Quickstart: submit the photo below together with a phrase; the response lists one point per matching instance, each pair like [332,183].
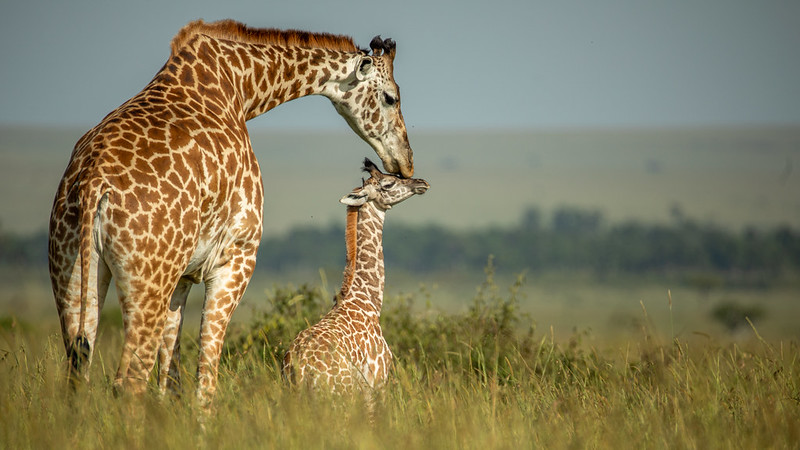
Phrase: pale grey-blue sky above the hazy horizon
[460,64]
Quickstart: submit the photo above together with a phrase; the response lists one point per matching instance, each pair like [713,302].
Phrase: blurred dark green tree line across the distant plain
[570,239]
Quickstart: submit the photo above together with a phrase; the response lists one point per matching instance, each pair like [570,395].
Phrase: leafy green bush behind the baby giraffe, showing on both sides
[492,341]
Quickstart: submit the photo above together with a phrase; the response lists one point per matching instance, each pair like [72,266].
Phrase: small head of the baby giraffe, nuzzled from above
[384,190]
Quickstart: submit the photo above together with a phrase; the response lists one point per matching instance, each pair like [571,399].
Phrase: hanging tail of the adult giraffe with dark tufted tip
[89,204]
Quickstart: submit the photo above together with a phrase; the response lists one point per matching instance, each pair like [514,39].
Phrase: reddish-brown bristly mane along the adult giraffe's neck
[236,31]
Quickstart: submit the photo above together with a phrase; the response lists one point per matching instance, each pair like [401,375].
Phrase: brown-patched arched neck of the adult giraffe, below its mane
[258,75]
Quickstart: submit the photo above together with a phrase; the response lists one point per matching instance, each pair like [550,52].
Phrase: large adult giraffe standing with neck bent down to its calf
[166,190]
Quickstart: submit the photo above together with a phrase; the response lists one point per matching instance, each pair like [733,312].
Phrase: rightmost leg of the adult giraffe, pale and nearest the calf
[224,289]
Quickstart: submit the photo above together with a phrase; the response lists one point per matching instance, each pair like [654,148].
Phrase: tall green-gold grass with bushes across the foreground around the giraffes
[481,378]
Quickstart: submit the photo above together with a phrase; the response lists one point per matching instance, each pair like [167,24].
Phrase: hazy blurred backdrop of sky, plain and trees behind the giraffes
[611,152]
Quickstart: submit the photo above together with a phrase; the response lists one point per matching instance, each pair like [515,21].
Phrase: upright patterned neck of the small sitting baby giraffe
[364,270]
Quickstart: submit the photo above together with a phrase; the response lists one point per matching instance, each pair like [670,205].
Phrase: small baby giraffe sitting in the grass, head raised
[346,348]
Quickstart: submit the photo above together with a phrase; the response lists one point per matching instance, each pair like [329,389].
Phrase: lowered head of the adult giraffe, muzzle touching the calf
[369,100]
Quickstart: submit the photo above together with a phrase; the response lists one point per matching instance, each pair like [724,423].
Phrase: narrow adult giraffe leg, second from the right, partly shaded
[169,355]
